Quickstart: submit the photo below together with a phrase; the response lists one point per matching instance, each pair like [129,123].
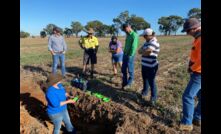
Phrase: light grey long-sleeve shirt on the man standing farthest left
[57,43]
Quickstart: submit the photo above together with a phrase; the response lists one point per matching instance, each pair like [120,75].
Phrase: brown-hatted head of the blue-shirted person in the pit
[54,79]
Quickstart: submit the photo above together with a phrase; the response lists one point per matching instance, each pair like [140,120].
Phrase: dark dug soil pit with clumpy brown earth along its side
[91,115]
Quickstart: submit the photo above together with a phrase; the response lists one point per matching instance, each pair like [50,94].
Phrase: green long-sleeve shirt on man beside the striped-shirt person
[131,44]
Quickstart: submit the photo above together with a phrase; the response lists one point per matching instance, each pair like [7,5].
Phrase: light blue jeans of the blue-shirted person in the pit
[57,120]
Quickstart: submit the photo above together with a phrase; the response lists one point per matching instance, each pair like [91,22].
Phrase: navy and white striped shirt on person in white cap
[151,60]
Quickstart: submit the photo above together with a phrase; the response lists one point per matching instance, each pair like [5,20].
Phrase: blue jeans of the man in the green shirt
[128,64]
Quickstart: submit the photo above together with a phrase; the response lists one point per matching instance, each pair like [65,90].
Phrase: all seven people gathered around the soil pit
[58,99]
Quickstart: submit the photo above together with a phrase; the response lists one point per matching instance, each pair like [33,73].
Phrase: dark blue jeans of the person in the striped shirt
[149,74]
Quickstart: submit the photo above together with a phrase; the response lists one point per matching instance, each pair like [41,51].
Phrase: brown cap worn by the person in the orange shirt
[190,24]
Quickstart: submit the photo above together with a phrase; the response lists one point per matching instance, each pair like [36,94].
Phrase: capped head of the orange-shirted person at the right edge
[191,26]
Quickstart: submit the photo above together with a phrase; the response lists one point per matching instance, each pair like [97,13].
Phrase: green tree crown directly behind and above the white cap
[138,23]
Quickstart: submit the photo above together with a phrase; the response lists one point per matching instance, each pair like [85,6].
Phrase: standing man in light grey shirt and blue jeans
[57,47]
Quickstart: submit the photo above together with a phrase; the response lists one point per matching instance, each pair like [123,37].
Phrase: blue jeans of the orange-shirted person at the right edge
[193,89]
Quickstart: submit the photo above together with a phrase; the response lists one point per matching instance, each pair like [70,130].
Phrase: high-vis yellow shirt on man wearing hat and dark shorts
[90,42]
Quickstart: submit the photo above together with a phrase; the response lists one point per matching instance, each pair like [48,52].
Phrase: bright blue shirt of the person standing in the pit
[54,97]
